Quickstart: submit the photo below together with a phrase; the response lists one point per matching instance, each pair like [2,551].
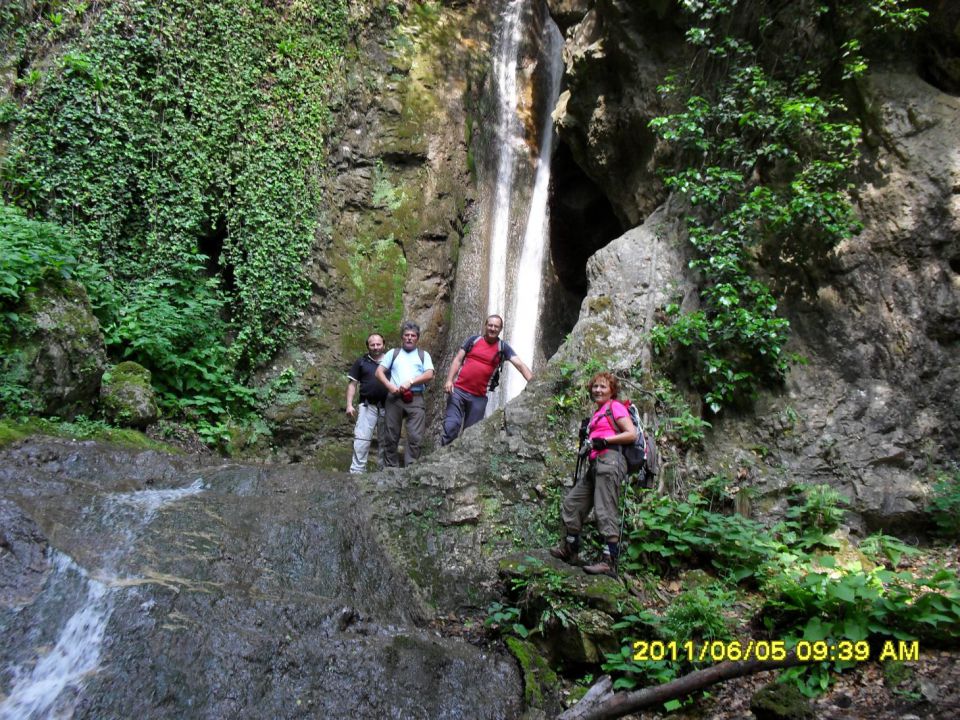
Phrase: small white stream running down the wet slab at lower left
[39,683]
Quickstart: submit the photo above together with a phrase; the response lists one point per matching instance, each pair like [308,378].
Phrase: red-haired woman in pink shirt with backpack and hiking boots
[608,429]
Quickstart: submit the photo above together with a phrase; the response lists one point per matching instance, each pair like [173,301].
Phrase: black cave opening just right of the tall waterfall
[582,221]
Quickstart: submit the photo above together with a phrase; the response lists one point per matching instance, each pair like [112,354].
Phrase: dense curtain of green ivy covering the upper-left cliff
[180,141]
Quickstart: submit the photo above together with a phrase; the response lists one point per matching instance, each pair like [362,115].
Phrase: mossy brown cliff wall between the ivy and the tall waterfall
[399,197]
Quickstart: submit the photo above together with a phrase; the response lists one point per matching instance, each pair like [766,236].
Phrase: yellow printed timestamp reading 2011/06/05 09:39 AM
[772,650]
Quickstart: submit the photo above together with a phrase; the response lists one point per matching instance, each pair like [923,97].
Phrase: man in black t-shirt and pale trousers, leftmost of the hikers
[369,416]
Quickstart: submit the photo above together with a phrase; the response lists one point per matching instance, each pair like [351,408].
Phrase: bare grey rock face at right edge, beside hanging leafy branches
[874,410]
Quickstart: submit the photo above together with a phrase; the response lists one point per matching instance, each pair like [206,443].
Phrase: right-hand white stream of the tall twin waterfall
[525,311]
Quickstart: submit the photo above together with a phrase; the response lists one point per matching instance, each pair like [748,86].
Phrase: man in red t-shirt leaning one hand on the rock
[469,378]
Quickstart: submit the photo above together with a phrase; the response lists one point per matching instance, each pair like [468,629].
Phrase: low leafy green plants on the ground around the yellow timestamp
[807,587]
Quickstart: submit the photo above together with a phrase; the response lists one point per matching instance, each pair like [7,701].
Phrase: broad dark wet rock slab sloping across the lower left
[234,592]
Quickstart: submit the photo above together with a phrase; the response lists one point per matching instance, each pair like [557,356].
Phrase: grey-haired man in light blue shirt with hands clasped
[404,372]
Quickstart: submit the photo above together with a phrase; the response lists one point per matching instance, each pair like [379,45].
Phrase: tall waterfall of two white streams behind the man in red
[515,274]
